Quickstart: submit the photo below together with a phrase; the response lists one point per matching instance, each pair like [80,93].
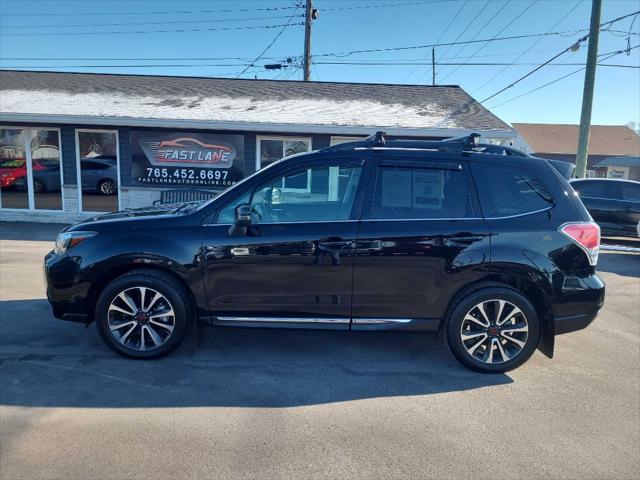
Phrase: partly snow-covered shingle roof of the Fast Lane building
[241,100]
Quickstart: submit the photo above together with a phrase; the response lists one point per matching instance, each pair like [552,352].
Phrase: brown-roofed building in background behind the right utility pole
[614,151]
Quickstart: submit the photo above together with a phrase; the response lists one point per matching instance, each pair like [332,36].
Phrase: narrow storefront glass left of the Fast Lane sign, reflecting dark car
[98,170]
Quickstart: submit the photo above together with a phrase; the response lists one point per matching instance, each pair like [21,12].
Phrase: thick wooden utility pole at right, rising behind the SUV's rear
[587,92]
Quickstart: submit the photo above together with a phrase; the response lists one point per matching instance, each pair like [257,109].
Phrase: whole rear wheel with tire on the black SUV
[507,345]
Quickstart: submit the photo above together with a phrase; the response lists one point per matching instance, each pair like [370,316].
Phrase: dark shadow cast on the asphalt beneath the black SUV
[47,362]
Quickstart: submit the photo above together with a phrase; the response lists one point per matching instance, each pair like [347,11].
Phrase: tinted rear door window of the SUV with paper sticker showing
[415,192]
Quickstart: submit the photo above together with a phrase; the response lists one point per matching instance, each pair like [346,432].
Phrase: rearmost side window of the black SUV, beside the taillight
[506,191]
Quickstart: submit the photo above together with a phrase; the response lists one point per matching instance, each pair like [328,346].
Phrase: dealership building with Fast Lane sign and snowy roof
[73,144]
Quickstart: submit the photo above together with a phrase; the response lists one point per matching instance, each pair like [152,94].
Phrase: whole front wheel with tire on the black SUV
[143,335]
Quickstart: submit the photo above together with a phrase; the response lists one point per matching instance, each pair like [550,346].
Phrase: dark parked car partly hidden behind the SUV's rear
[613,204]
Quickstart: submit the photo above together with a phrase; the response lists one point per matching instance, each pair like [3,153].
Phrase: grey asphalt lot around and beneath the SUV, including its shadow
[302,404]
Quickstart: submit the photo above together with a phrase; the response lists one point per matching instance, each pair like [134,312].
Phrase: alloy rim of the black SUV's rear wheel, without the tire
[494,331]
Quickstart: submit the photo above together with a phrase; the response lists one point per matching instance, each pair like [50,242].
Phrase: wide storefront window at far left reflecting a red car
[30,174]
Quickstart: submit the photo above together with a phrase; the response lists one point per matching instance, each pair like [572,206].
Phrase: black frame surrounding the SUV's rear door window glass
[433,162]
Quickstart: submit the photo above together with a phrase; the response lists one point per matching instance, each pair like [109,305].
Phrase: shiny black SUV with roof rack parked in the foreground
[494,251]
